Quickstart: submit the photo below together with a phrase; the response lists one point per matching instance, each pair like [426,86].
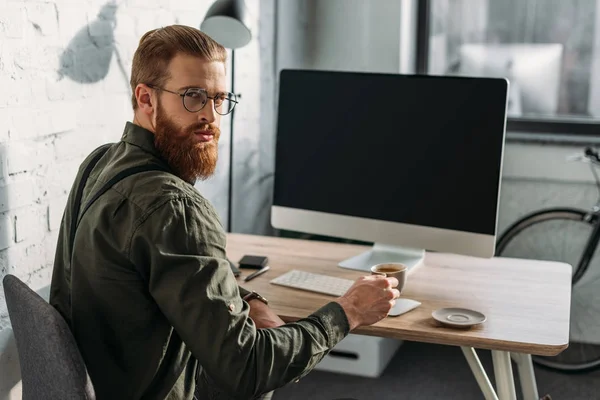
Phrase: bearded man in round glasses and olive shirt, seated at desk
[141,275]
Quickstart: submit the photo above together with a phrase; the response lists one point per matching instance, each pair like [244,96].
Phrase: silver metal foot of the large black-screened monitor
[382,253]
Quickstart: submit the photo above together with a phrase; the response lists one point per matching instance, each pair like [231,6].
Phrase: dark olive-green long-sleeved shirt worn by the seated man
[150,296]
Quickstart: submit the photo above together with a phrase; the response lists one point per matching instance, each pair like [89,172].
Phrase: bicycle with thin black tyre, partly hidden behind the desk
[574,233]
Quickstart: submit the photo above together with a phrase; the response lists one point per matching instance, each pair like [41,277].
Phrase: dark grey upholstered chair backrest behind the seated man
[51,364]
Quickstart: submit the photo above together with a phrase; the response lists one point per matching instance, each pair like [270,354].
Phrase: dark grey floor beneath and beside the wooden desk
[426,371]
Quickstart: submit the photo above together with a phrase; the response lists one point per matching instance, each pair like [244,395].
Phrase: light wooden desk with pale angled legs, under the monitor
[527,303]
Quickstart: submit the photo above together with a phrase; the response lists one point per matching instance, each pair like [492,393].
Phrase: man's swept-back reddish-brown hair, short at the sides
[159,46]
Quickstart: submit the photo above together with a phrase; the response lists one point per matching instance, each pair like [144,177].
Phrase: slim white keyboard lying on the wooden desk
[311,282]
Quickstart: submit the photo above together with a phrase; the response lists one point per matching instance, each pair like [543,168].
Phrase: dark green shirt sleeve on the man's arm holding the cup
[181,245]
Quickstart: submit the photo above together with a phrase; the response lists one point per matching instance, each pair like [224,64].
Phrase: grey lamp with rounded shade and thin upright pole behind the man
[227,22]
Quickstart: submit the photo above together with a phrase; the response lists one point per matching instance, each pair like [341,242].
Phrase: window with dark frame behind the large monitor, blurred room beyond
[548,49]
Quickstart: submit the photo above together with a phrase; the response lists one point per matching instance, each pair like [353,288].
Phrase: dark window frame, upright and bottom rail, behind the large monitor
[525,128]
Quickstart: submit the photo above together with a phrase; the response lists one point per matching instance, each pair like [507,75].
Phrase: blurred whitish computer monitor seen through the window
[533,70]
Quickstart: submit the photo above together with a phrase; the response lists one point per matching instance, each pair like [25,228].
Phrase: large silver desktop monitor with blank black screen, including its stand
[406,162]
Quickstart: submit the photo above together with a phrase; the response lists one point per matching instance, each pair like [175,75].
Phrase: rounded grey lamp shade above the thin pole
[227,22]
